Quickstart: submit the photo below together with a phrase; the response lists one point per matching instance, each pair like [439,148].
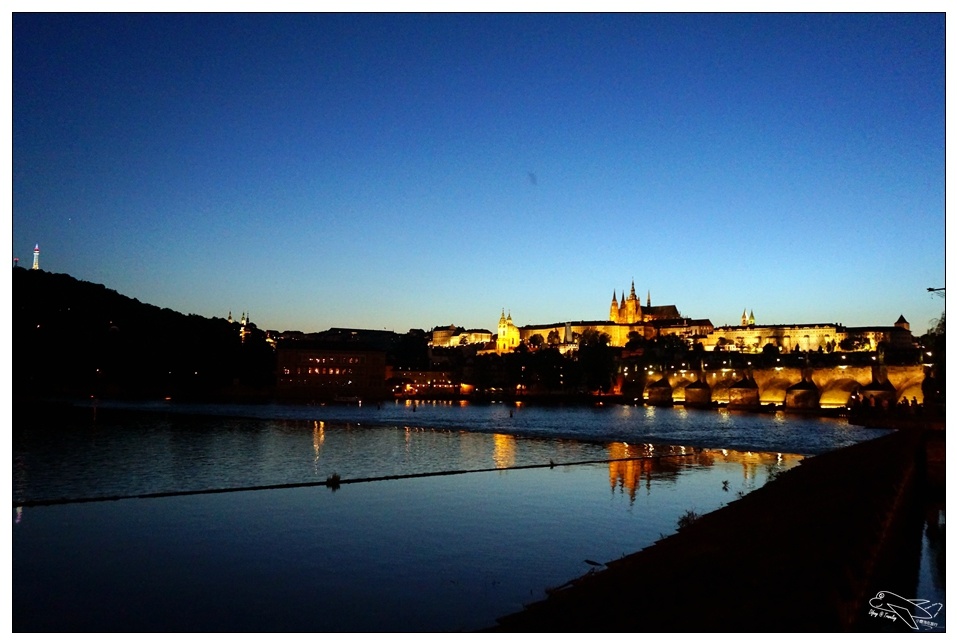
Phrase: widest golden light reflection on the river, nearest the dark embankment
[632,465]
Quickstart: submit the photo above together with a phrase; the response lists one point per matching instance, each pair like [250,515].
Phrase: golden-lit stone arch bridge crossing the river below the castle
[810,388]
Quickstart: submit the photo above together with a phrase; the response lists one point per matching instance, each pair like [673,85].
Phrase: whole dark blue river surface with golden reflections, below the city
[446,516]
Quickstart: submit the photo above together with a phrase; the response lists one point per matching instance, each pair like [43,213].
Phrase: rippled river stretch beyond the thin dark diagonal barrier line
[128,454]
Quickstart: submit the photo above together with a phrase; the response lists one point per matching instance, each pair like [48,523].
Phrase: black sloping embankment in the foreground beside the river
[803,553]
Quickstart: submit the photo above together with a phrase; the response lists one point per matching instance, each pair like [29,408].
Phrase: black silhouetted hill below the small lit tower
[78,339]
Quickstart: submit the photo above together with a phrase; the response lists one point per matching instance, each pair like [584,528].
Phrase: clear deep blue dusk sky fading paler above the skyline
[384,171]
